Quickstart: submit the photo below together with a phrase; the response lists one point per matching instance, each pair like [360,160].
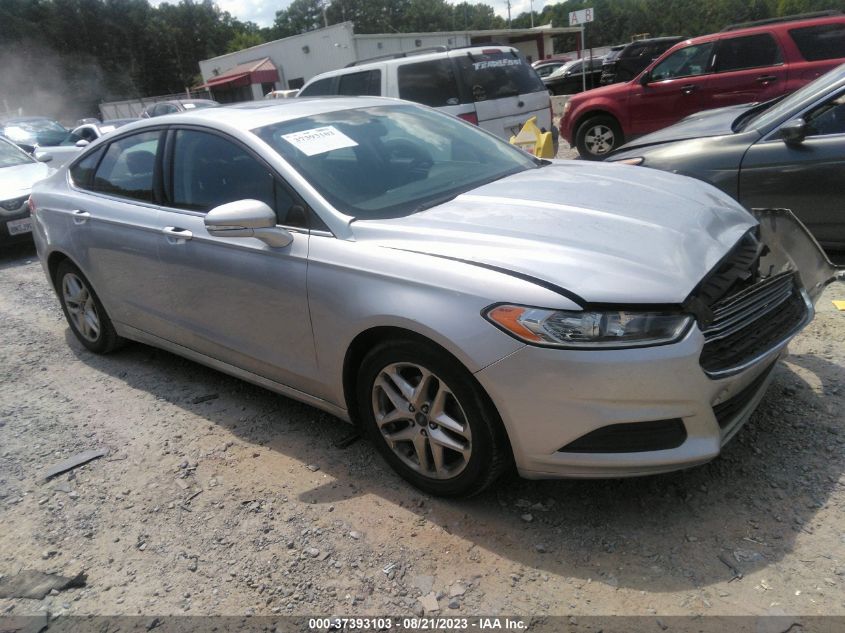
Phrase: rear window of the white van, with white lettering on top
[497,75]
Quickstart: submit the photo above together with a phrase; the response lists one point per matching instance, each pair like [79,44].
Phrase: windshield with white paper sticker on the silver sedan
[392,161]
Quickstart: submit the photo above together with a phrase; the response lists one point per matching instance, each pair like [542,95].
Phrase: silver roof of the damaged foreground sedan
[254,114]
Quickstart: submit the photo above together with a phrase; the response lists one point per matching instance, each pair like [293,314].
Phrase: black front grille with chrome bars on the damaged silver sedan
[751,322]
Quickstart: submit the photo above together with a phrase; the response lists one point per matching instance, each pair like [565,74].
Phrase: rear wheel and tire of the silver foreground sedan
[84,312]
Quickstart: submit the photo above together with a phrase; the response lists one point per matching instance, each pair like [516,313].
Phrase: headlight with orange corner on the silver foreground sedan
[589,329]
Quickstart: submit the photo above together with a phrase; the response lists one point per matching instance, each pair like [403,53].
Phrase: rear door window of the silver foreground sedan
[128,167]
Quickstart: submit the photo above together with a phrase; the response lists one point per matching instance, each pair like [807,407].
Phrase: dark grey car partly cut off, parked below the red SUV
[783,153]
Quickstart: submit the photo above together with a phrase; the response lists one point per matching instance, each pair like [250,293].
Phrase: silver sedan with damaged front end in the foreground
[470,306]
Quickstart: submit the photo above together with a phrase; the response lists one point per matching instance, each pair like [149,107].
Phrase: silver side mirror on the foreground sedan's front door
[247,218]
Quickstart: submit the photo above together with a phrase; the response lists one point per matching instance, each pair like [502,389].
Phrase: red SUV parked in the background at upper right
[747,62]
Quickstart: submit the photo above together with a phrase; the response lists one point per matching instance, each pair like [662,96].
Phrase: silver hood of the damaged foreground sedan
[607,233]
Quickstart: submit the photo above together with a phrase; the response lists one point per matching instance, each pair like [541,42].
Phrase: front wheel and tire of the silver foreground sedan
[445,439]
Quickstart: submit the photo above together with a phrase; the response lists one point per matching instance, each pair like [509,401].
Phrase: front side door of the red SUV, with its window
[671,90]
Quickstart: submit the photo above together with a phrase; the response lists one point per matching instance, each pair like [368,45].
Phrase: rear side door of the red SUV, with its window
[746,69]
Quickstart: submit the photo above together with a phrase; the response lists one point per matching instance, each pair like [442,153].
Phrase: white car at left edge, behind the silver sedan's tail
[18,172]
